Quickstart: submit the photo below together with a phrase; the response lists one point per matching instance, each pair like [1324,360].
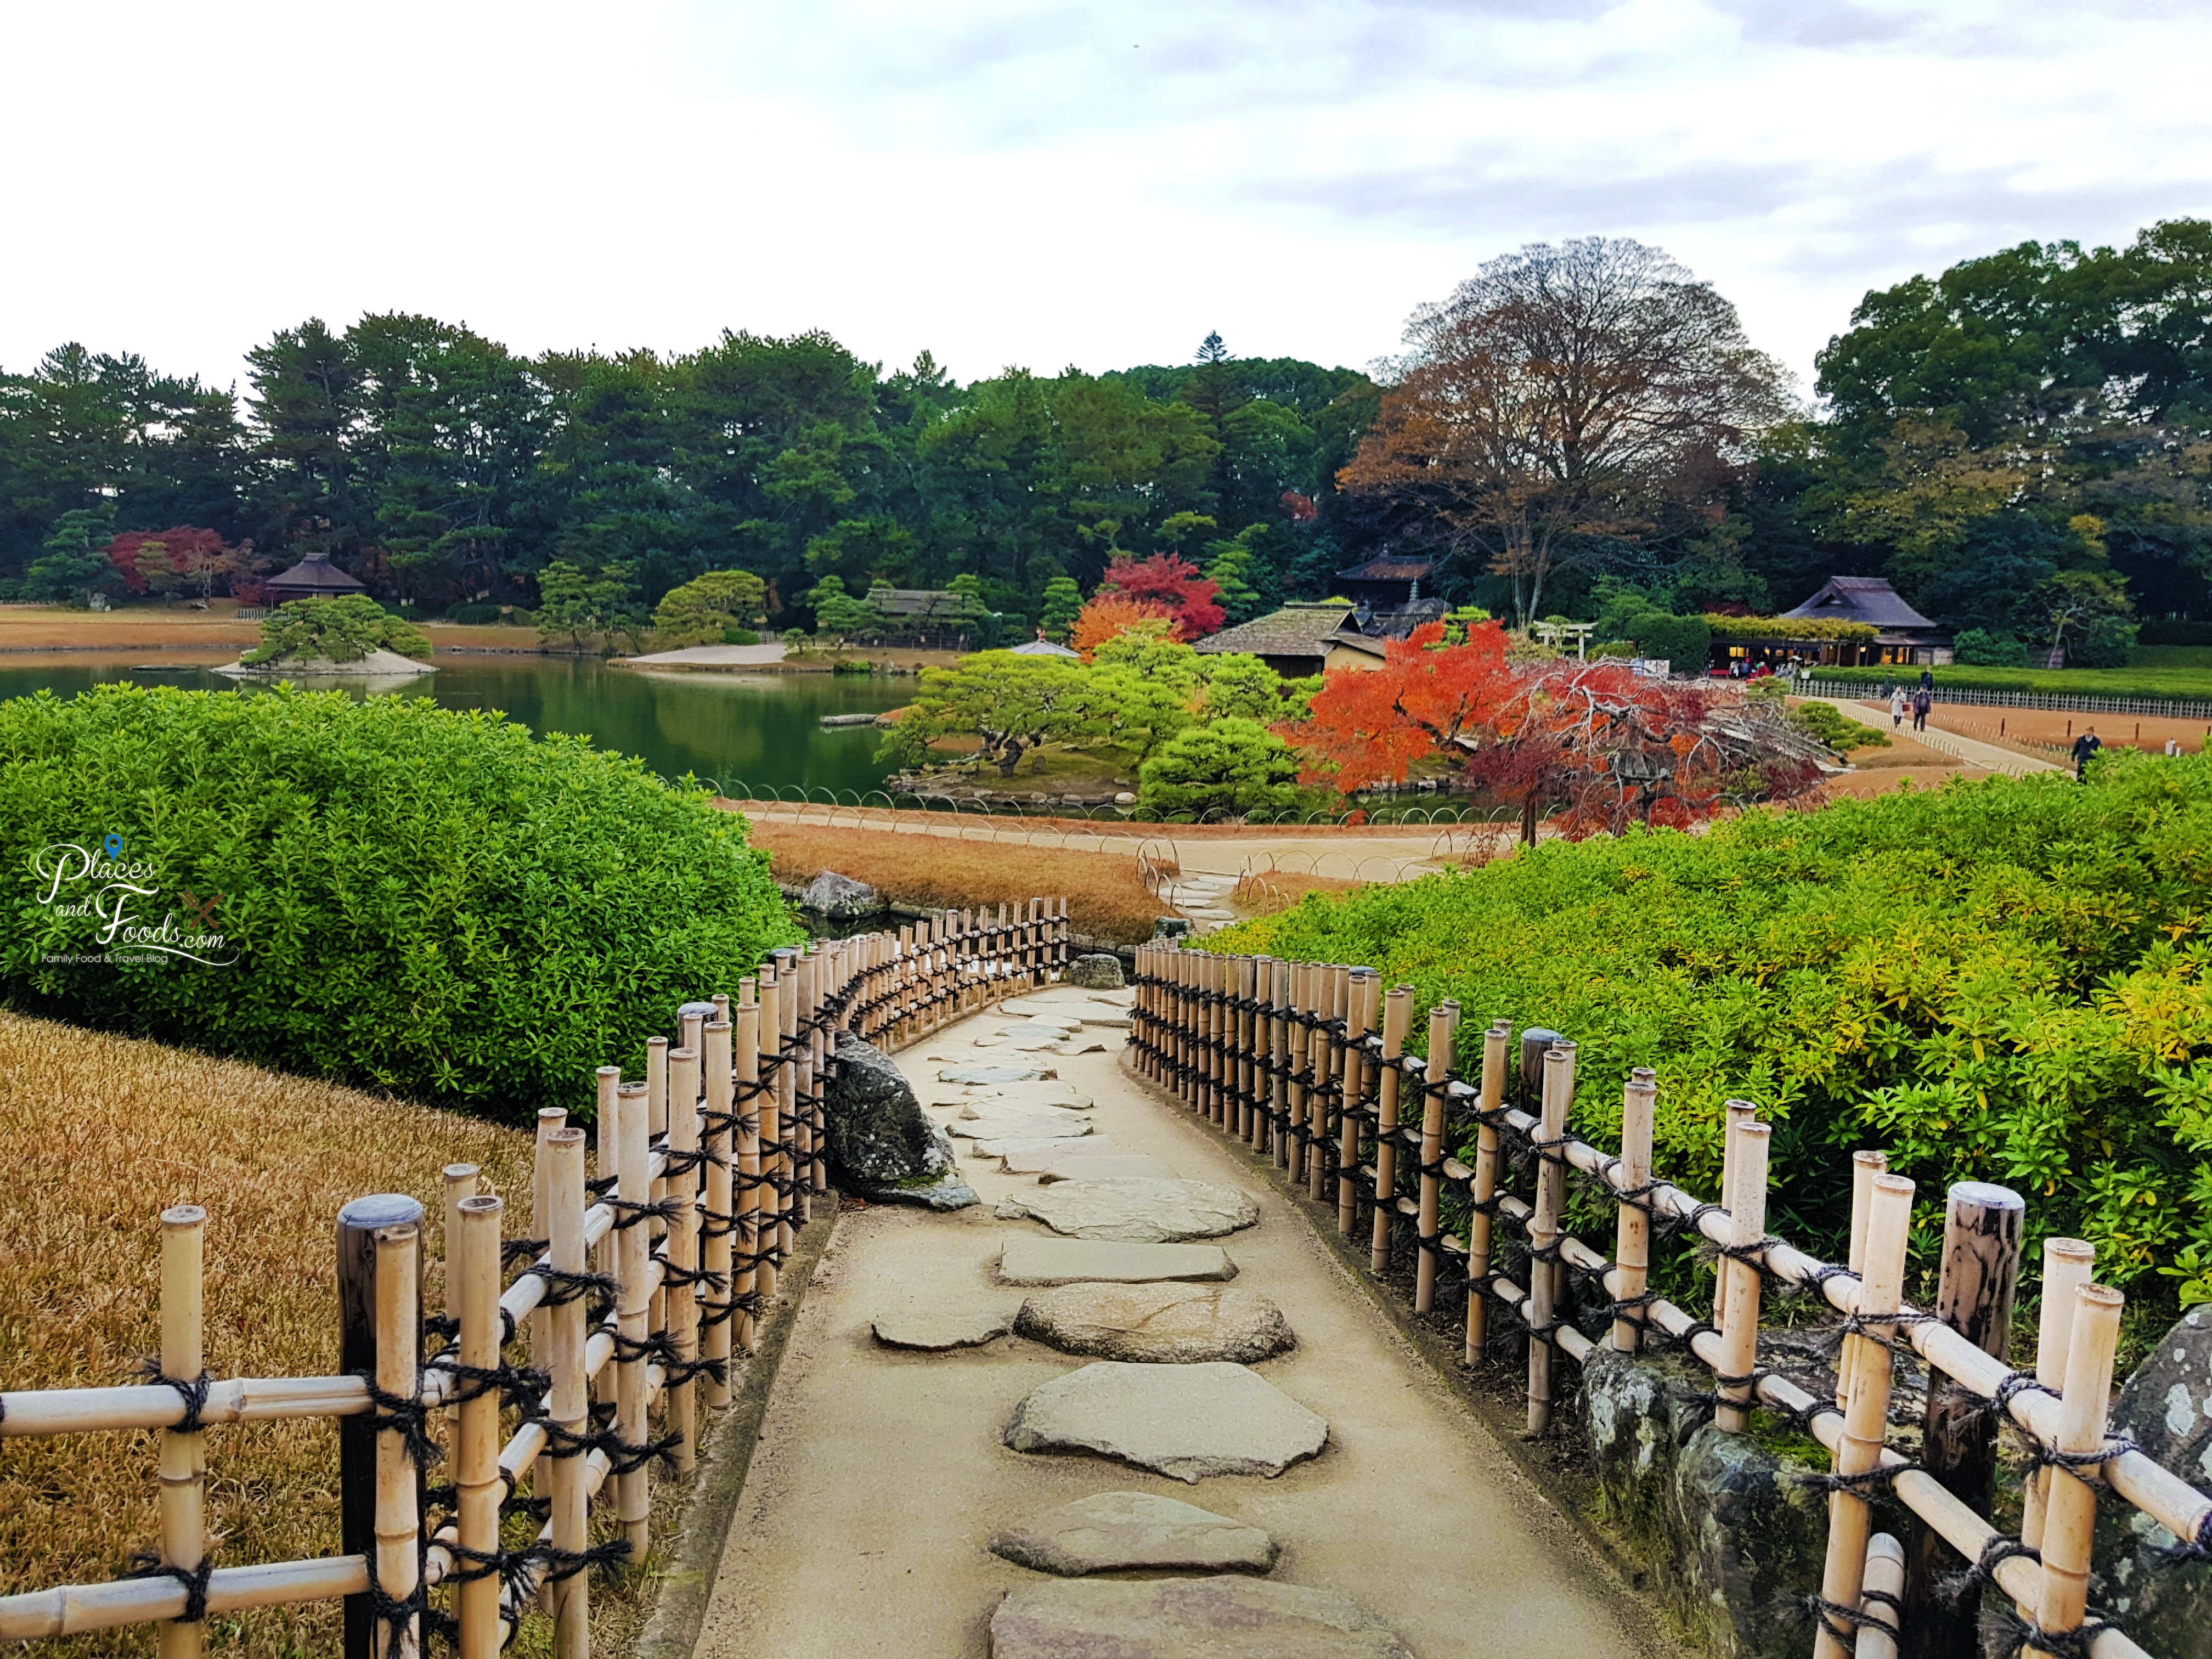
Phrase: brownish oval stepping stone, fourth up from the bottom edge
[1156,1324]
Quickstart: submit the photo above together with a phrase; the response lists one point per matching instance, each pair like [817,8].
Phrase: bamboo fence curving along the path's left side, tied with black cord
[632,1300]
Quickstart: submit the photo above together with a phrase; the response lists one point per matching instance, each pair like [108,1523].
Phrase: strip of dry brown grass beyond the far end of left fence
[1103,888]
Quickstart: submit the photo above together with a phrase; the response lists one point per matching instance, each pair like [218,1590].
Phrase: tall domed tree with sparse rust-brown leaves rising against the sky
[1561,399]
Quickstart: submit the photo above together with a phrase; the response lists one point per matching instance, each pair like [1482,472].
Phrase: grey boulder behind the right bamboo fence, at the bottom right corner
[2167,1410]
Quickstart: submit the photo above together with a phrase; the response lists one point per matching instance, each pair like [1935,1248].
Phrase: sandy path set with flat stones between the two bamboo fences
[979,1423]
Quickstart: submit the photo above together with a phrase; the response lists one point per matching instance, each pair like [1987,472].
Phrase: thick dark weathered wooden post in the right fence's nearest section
[1959,1446]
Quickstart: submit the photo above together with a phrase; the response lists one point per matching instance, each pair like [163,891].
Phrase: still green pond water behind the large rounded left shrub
[733,729]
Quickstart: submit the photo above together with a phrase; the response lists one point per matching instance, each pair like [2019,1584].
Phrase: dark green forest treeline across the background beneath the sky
[2030,424]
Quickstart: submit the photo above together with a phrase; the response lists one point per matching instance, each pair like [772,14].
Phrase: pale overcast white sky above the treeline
[1036,182]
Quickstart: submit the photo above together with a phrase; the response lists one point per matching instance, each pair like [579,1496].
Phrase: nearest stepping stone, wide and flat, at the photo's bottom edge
[1220,1618]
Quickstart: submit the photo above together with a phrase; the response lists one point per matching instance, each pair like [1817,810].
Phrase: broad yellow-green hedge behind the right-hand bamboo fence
[1996,981]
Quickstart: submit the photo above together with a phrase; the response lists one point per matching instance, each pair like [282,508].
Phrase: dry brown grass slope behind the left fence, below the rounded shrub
[98,1136]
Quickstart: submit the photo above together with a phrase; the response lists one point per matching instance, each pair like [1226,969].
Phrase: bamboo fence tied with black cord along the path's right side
[1308,1063]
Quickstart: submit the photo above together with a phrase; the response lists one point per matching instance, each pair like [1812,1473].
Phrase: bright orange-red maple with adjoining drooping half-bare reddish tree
[1594,740]
